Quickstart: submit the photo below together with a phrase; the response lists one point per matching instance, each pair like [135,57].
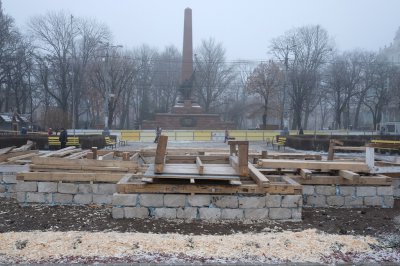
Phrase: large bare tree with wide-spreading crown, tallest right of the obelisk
[304,50]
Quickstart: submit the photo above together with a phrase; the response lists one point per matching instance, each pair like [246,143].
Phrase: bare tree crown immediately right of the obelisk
[212,75]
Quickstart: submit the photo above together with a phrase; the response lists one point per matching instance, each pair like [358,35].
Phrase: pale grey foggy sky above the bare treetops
[245,27]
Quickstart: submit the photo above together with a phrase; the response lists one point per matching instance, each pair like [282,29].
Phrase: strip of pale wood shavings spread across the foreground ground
[306,246]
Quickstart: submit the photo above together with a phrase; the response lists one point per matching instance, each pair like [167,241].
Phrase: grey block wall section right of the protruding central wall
[348,196]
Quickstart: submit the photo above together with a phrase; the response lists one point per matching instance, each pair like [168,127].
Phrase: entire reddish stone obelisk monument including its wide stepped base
[187,113]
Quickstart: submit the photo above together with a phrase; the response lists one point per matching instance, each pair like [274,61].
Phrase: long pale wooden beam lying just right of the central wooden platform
[307,164]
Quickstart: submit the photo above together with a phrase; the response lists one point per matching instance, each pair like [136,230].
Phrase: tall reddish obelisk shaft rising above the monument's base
[187,52]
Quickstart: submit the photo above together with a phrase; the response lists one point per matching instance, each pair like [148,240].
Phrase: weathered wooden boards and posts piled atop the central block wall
[205,174]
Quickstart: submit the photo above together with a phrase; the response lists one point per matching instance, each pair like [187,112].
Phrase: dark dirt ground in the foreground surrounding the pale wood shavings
[381,224]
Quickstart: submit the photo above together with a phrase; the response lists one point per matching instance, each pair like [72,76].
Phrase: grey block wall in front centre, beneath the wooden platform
[207,207]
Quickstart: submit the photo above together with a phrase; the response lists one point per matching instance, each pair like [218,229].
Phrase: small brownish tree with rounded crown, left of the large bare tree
[266,81]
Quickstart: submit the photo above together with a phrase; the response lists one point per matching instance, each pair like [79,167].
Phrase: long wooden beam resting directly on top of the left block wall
[69,177]
